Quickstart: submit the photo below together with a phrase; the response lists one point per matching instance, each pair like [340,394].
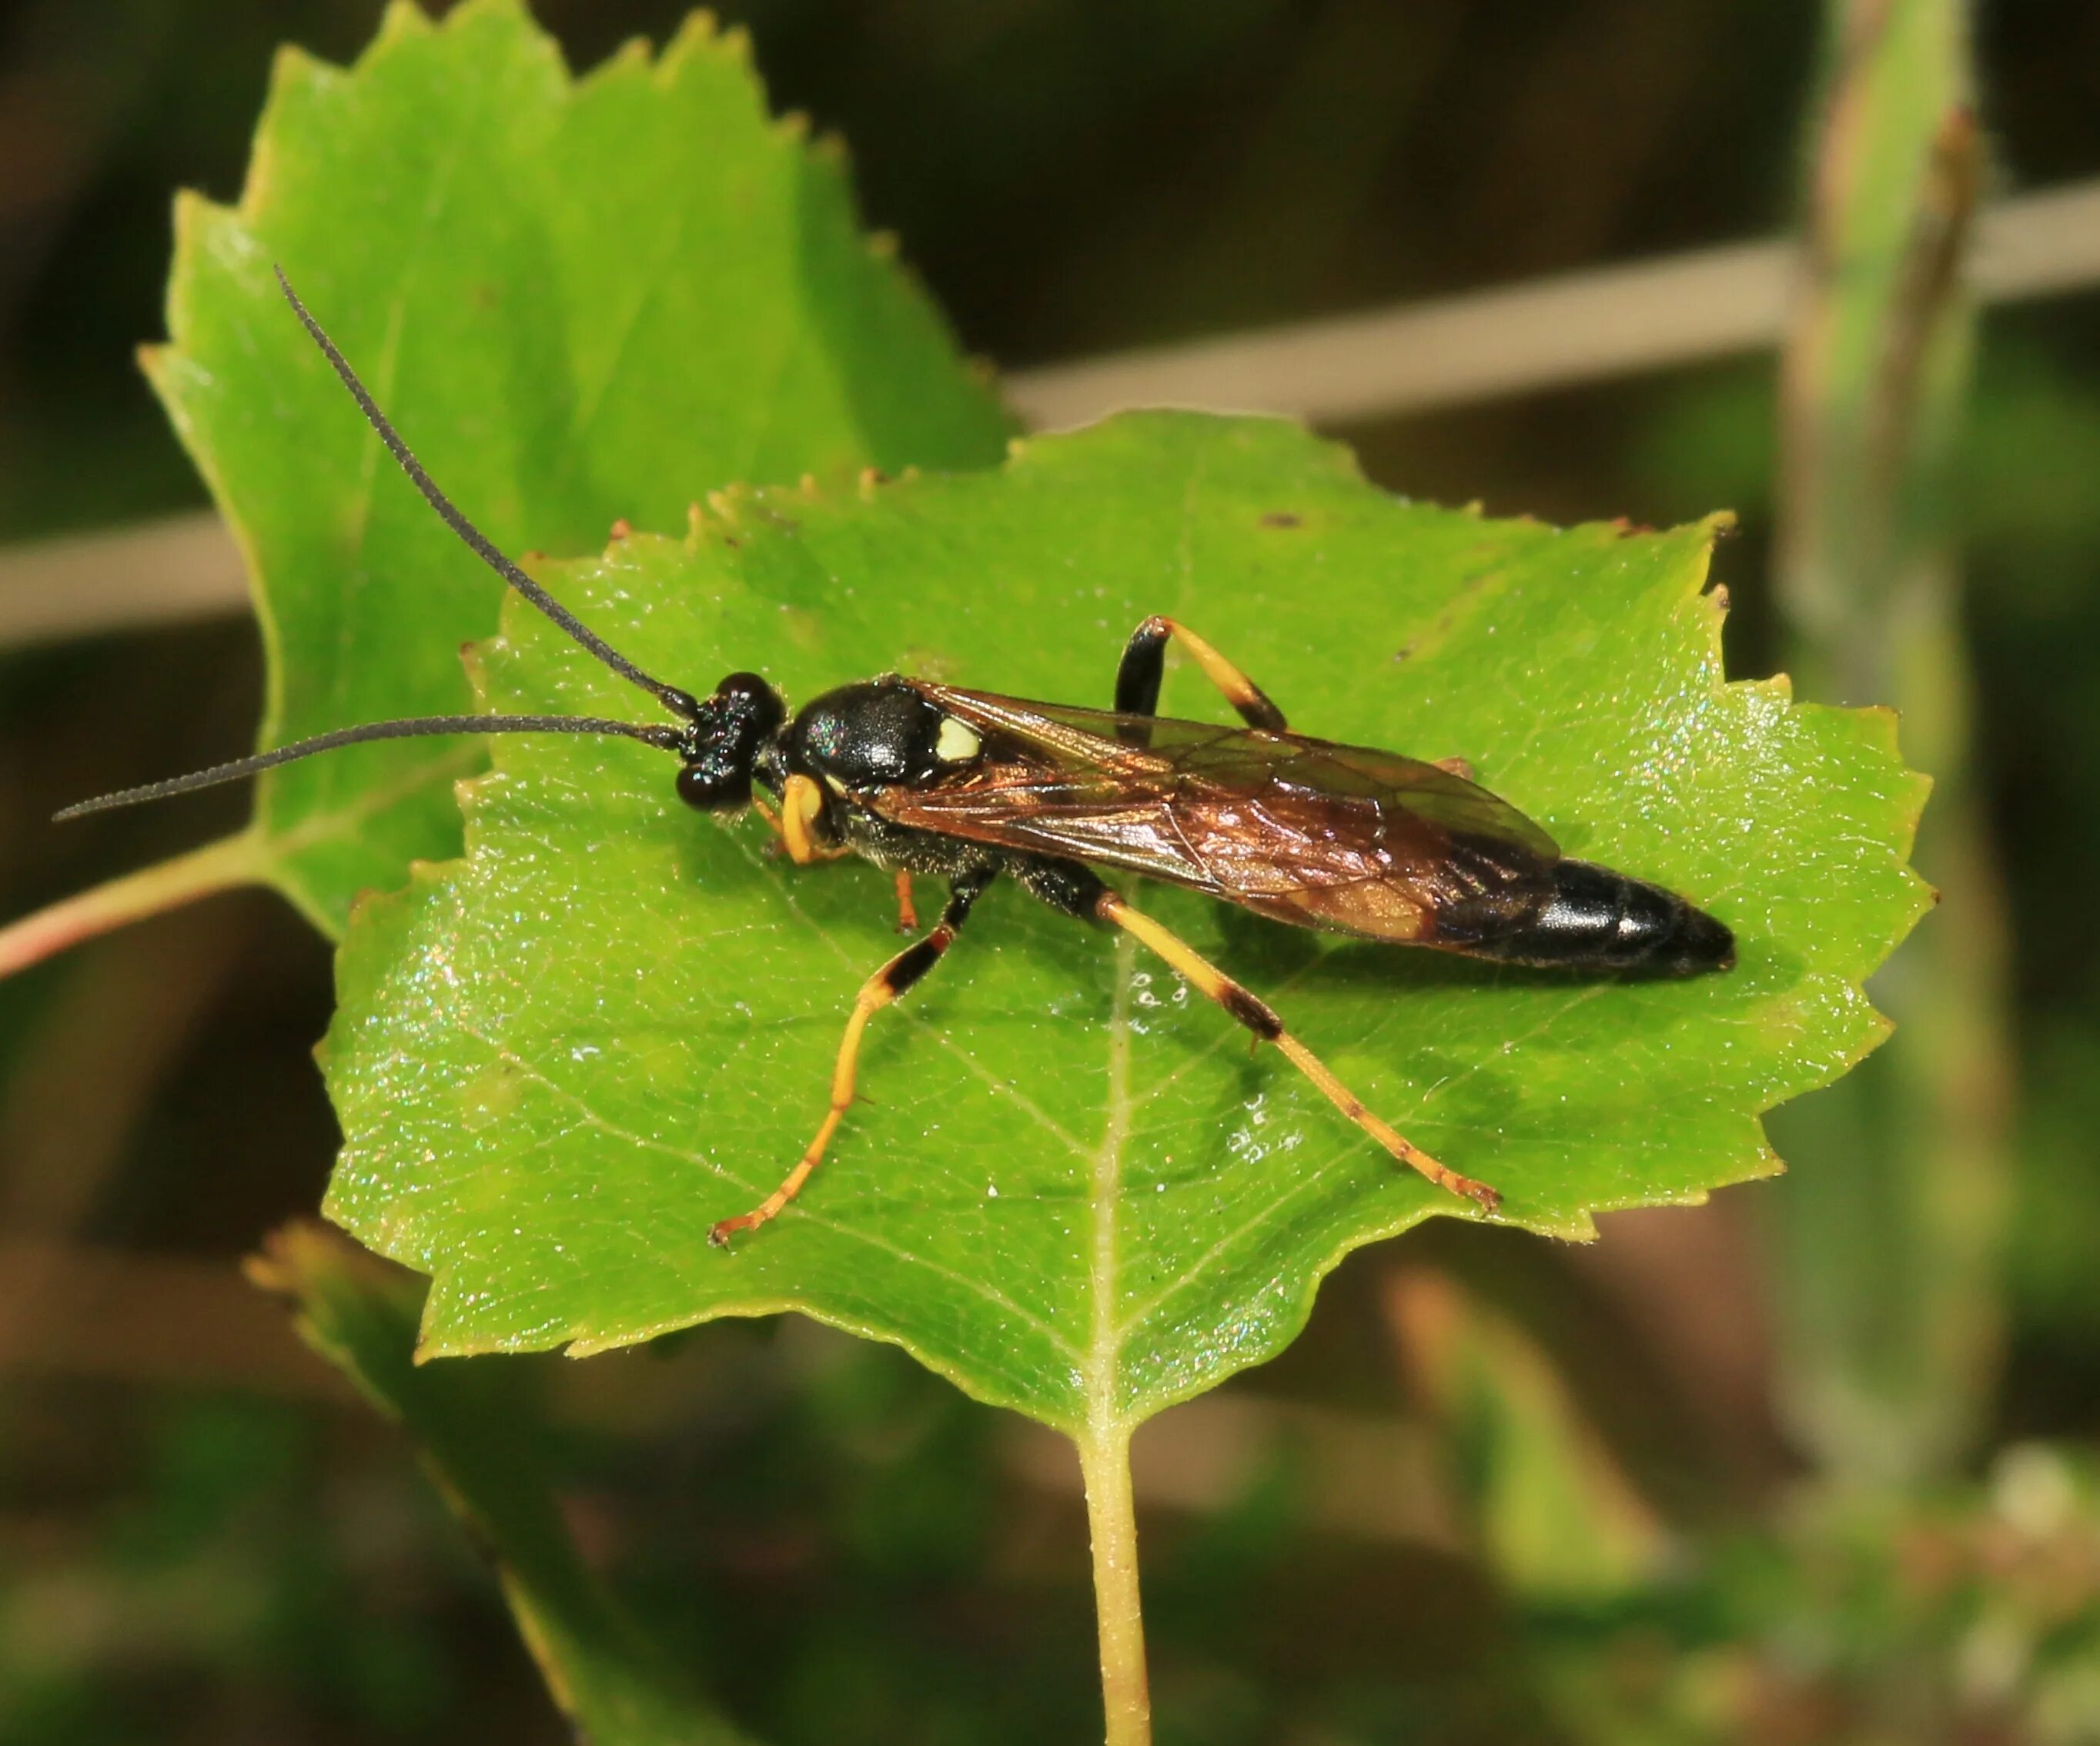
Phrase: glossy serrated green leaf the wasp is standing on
[1070,1188]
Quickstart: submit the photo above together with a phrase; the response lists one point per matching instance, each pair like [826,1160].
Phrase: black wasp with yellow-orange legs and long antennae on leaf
[965,787]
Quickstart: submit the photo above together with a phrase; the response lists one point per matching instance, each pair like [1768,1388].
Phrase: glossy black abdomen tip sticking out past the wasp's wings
[1605,921]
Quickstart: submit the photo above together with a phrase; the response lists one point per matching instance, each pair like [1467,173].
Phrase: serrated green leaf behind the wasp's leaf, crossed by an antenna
[581,302]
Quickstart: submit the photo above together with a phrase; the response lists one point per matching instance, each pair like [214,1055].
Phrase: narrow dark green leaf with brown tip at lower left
[474,1432]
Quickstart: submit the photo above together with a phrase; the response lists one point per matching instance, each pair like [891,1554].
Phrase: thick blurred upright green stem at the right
[1891,1224]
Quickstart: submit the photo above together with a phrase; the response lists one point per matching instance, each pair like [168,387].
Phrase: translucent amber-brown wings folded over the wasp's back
[1303,831]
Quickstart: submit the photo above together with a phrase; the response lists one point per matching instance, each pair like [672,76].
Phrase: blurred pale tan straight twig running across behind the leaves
[1381,365]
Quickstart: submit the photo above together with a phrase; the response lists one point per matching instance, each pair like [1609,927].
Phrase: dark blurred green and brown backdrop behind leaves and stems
[1500,1491]
